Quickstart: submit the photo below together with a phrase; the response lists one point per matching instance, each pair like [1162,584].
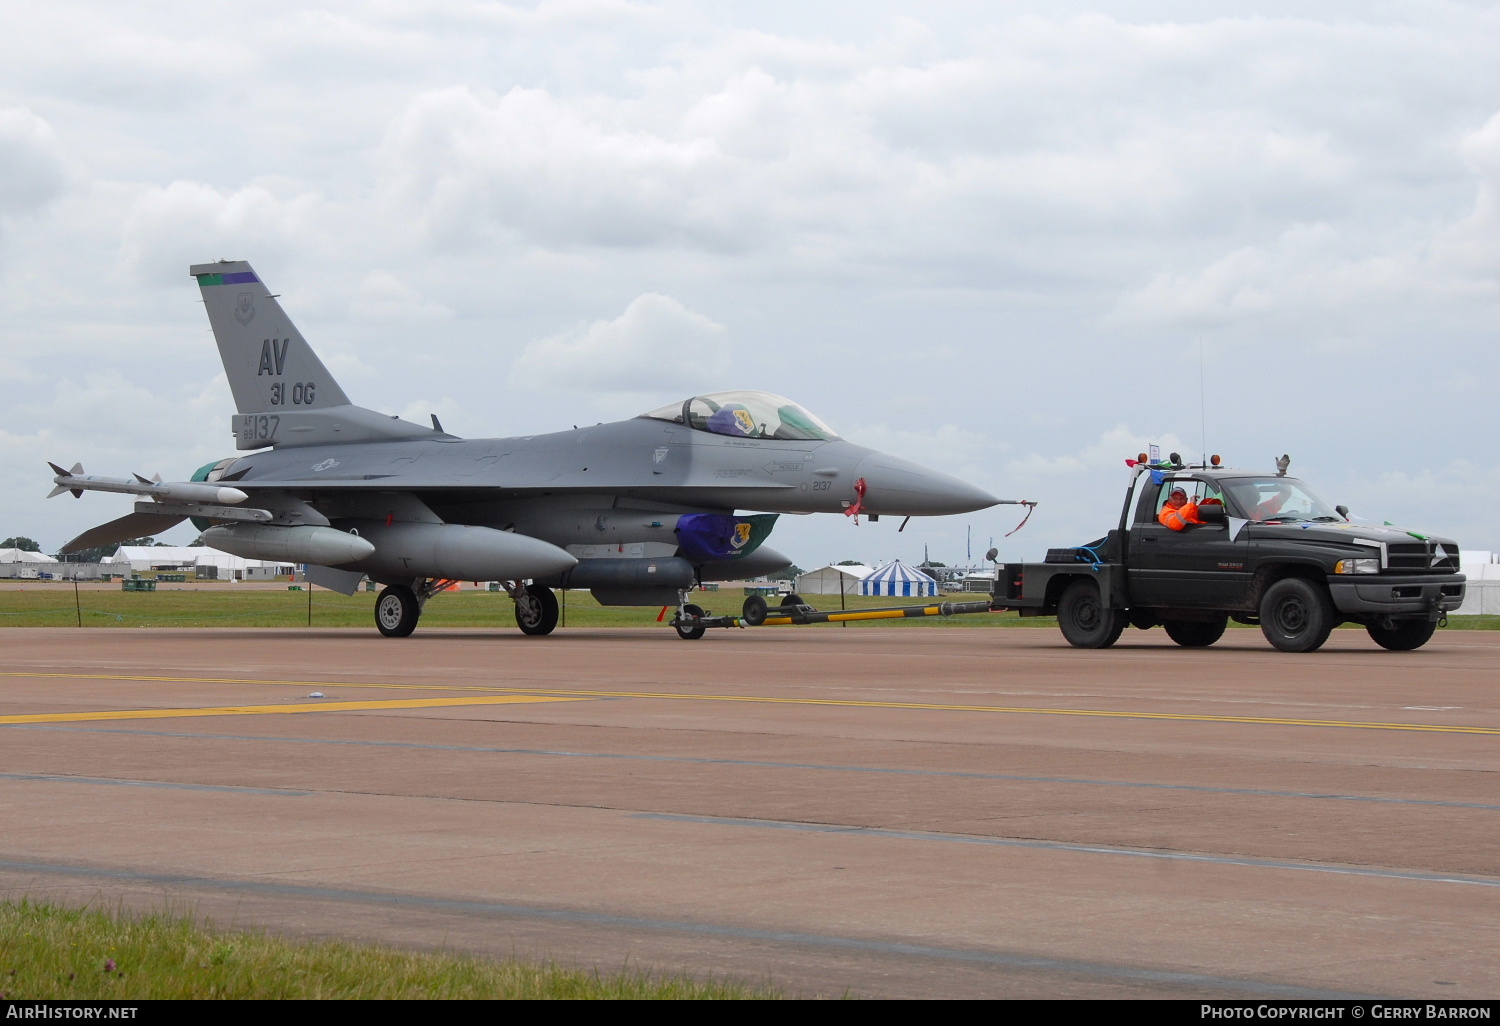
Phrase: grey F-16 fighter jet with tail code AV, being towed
[638,512]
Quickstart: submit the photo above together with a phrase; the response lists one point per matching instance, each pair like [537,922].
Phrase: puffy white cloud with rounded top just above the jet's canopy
[658,346]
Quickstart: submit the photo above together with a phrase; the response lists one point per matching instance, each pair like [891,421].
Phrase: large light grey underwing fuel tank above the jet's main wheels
[457,551]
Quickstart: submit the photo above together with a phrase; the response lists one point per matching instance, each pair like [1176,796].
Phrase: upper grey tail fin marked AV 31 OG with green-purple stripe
[271,367]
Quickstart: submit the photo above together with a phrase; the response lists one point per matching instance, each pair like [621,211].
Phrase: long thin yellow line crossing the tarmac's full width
[766,700]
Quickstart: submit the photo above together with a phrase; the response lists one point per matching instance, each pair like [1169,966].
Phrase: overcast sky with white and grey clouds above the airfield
[1009,241]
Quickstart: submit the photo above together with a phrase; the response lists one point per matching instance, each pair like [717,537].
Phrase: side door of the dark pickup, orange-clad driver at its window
[1199,568]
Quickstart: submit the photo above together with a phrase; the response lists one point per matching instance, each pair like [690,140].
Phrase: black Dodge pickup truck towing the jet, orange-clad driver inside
[1268,553]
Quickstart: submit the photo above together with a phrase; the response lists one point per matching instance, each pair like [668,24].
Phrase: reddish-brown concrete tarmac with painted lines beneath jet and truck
[889,814]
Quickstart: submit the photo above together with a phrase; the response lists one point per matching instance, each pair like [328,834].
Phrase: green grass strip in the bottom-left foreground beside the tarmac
[55,953]
